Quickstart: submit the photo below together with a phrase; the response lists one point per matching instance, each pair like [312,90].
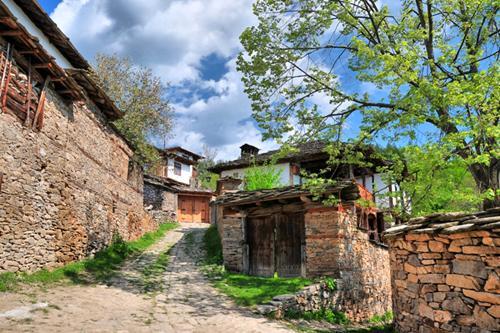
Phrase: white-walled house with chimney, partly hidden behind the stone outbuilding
[312,157]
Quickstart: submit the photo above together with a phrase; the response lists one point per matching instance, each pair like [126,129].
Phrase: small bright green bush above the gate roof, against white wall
[261,177]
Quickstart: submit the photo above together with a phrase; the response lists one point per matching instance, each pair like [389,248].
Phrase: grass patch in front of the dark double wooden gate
[244,289]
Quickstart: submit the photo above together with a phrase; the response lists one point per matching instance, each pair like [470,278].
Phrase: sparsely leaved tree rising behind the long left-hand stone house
[141,97]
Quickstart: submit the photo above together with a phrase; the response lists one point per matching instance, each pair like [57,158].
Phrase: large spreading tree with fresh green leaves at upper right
[434,64]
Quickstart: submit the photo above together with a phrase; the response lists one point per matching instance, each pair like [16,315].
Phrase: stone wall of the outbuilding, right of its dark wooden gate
[335,247]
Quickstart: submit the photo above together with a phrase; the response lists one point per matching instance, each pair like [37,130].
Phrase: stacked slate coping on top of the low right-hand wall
[448,223]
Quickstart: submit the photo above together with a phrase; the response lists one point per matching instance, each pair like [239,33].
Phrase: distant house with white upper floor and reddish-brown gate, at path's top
[172,188]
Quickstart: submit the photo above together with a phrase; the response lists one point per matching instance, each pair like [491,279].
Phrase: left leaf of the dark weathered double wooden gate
[260,239]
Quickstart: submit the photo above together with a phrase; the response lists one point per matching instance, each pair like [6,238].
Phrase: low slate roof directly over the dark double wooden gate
[249,197]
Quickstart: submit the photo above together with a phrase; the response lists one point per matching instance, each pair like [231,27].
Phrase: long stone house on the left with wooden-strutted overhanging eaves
[67,180]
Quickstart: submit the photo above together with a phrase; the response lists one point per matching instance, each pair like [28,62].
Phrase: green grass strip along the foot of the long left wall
[97,269]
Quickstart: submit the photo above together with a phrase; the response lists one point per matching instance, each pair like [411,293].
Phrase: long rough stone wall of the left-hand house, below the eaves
[65,189]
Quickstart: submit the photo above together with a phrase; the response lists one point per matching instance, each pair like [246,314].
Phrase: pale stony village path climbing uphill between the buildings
[182,299]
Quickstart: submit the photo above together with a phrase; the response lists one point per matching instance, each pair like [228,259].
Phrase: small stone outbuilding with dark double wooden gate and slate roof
[283,231]
